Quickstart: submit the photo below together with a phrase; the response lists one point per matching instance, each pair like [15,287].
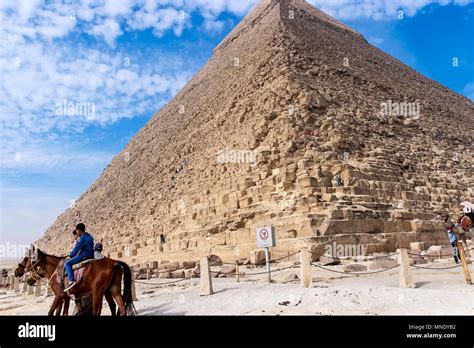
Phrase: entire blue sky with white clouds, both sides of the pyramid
[128,58]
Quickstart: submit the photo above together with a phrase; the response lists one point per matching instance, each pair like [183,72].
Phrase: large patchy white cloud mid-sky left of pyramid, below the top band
[48,74]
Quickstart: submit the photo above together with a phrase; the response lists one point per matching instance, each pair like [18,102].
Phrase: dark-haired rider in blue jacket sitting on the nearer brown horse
[84,249]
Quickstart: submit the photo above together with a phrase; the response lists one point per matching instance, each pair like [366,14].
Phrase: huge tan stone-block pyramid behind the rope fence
[290,100]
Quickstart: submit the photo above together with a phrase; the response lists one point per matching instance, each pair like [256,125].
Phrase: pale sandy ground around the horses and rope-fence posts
[439,292]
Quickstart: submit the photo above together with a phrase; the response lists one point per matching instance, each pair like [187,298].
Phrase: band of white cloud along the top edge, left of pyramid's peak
[108,19]
